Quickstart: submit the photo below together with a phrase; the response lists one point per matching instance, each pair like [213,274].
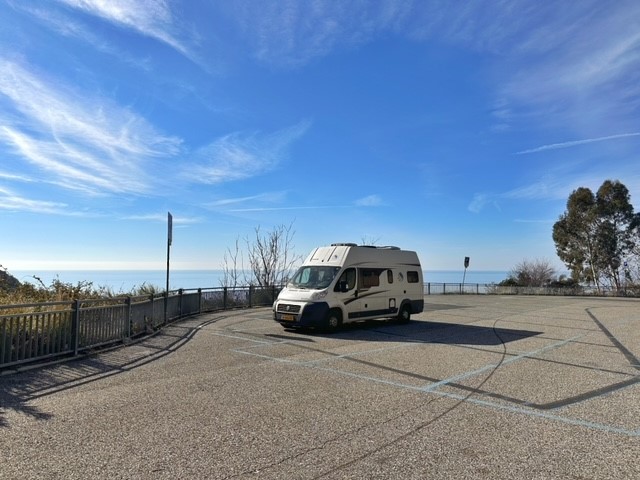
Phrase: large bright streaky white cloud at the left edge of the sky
[82,143]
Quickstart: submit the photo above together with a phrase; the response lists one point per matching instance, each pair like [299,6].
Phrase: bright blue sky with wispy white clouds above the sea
[451,128]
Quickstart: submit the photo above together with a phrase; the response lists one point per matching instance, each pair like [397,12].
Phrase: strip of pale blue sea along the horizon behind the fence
[124,281]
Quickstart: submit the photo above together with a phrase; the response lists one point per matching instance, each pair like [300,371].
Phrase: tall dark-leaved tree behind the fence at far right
[597,233]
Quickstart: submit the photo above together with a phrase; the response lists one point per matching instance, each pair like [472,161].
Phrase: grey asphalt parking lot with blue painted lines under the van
[496,387]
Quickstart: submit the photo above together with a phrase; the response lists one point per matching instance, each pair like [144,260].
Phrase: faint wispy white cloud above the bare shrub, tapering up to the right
[239,156]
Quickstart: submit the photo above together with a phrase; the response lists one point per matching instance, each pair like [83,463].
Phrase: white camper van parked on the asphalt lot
[345,283]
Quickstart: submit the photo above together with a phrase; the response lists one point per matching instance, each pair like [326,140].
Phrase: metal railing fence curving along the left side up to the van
[40,331]
